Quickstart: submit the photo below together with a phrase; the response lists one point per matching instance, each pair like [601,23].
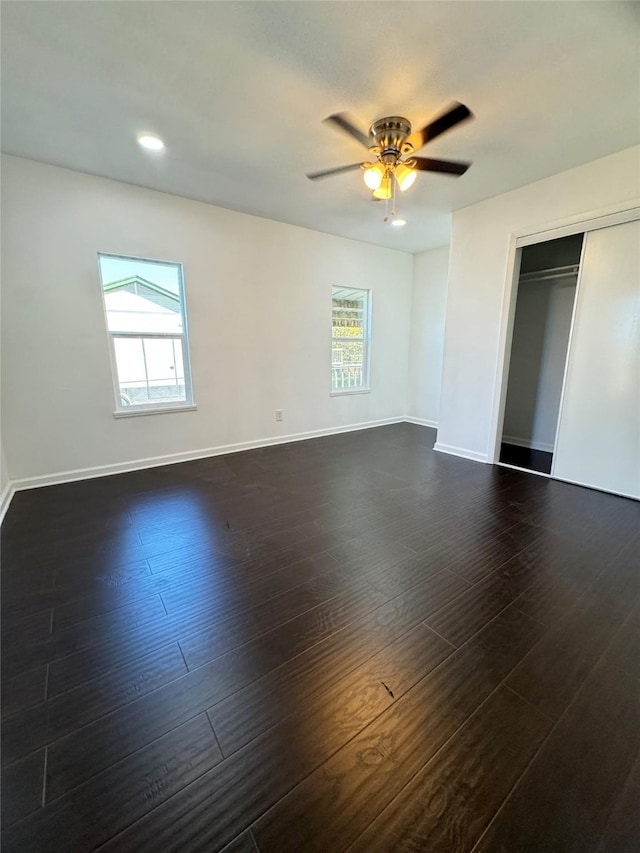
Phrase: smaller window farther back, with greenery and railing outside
[350,339]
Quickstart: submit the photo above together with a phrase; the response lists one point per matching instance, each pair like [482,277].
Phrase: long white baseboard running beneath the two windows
[187,456]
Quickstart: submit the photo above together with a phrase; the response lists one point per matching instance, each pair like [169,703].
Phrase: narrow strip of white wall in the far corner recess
[430,270]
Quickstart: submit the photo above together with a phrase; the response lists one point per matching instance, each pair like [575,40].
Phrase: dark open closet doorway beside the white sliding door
[542,323]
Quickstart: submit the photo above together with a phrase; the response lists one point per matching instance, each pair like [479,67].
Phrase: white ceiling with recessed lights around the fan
[238,91]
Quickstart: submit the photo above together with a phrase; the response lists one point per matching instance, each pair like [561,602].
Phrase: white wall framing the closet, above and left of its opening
[480,244]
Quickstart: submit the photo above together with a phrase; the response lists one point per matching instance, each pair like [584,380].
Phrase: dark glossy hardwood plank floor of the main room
[351,643]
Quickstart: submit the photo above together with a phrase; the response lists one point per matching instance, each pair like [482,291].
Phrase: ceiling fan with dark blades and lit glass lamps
[392,143]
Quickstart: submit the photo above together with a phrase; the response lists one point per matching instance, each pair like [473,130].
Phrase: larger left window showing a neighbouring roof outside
[146,321]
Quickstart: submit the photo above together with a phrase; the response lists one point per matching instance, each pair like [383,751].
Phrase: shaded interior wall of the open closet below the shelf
[538,357]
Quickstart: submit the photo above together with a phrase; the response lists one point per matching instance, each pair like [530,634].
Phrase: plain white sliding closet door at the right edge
[598,440]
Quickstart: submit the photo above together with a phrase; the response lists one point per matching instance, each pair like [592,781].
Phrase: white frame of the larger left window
[133,410]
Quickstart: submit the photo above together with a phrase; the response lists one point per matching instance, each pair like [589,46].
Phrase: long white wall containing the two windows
[259,313]
